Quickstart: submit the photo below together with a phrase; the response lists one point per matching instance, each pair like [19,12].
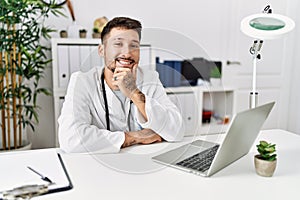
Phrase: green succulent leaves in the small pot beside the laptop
[266,151]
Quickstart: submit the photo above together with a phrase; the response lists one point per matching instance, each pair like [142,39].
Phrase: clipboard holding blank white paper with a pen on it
[15,173]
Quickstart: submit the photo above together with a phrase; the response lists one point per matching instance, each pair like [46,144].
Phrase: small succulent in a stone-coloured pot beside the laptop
[265,161]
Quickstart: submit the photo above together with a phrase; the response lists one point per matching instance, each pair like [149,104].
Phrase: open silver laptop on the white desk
[206,158]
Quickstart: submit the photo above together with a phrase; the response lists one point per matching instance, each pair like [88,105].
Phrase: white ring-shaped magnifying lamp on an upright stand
[263,26]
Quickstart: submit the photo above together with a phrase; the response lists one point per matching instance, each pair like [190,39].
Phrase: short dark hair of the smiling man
[121,22]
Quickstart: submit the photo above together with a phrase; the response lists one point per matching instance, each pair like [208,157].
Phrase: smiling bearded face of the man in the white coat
[121,48]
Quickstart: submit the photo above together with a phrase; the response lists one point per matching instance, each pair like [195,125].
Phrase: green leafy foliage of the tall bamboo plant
[29,17]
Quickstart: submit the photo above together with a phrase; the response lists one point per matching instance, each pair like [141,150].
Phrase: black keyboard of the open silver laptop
[200,161]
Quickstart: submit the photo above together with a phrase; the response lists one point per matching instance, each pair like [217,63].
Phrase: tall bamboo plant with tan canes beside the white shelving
[22,63]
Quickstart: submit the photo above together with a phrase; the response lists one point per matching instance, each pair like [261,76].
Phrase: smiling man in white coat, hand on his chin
[119,105]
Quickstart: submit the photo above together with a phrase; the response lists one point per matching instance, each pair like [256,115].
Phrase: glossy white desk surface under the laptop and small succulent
[94,180]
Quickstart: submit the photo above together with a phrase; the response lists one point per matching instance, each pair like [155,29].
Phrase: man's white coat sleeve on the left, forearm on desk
[76,132]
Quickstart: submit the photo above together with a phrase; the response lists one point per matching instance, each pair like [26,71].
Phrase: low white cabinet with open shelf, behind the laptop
[193,101]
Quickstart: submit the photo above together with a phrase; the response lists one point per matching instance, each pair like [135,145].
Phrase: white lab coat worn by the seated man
[82,123]
